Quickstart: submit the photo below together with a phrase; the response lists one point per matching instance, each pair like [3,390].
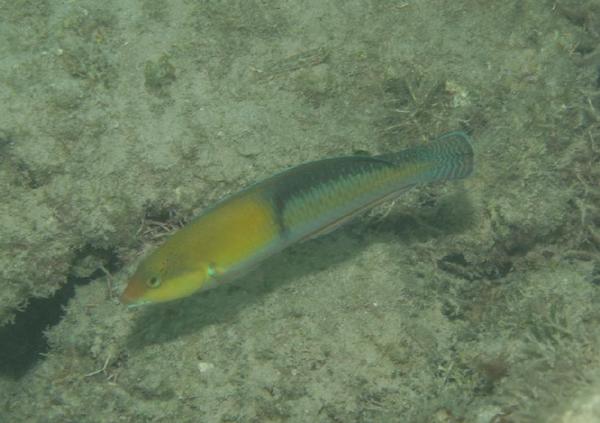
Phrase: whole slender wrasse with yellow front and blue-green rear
[300,203]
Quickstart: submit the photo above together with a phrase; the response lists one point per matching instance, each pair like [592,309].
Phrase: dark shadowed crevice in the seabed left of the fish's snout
[23,343]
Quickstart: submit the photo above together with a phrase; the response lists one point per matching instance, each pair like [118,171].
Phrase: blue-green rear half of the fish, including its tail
[319,194]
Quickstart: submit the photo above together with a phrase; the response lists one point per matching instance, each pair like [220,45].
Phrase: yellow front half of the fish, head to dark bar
[216,246]
